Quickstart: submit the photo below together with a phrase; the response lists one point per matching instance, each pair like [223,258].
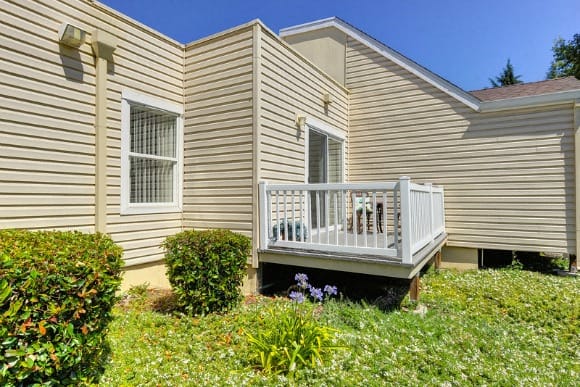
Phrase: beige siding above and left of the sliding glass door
[291,85]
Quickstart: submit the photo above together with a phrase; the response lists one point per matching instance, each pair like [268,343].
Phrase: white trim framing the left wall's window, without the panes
[127,208]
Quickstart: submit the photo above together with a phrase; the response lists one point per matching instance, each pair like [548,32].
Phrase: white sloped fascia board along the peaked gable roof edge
[409,65]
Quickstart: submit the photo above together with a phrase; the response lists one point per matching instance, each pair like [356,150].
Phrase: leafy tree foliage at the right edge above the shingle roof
[566,61]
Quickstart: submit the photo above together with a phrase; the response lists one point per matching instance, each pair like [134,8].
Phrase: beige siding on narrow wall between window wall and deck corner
[218,132]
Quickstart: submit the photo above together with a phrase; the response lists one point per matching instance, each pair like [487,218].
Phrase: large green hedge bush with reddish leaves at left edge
[57,290]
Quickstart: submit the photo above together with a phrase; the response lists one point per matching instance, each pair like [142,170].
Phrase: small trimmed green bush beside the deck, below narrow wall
[206,269]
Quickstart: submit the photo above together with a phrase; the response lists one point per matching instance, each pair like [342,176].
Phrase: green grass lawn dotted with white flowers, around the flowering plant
[489,327]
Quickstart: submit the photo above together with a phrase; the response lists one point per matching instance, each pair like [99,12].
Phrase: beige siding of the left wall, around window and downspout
[47,118]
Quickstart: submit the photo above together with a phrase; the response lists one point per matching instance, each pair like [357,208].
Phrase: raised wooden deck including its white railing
[413,226]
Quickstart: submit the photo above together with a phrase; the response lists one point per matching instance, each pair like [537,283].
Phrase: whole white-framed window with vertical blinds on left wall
[151,155]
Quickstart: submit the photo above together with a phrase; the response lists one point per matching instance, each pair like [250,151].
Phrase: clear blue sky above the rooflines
[464,41]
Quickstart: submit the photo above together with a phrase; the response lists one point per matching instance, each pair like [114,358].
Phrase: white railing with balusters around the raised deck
[394,219]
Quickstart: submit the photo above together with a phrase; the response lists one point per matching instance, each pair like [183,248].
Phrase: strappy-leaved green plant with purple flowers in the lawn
[292,338]
